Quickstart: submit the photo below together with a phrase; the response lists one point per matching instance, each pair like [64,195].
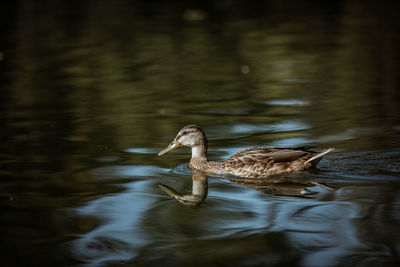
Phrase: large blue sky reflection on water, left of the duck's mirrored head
[120,233]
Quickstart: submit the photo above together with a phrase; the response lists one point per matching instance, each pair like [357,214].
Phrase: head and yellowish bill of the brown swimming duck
[189,136]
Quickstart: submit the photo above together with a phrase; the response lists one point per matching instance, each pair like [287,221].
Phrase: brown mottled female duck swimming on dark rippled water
[255,162]
